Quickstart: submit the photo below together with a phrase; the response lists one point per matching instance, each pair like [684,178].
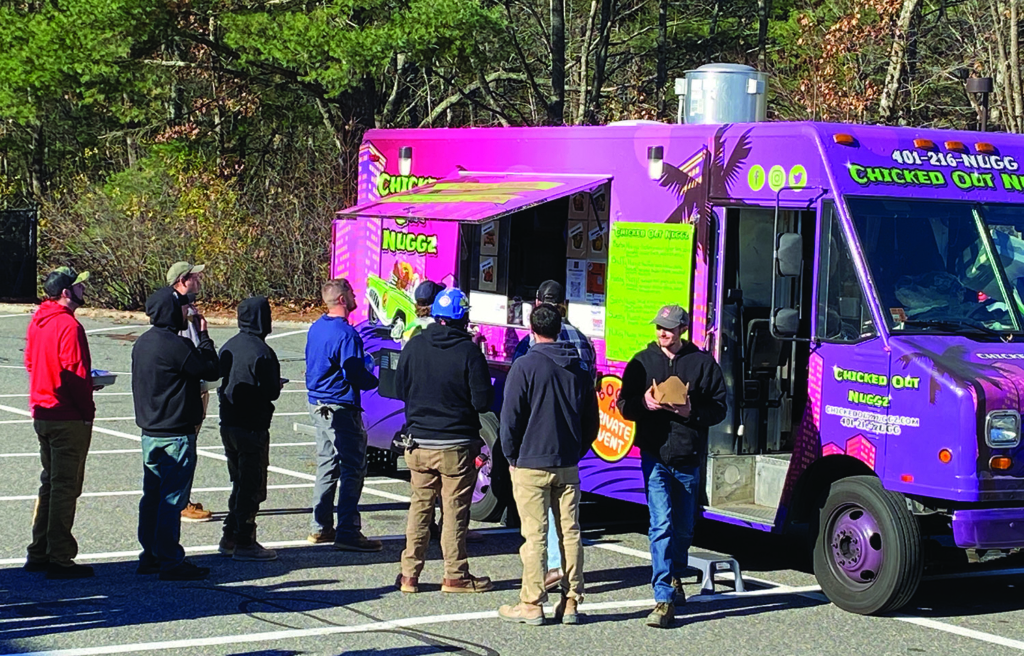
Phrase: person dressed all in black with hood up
[251,381]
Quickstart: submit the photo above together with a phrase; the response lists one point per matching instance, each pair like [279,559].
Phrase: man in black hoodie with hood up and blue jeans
[166,374]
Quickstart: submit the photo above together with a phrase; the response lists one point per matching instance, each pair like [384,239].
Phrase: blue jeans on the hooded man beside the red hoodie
[169,464]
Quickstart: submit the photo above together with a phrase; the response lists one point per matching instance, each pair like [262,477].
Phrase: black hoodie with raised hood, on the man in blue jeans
[166,371]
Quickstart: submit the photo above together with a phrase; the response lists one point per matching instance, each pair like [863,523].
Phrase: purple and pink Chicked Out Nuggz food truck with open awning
[861,286]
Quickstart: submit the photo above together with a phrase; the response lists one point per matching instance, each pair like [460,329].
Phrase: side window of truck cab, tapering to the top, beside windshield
[842,314]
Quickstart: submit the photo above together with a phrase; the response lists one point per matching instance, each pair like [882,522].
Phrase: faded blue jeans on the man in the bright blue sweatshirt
[342,466]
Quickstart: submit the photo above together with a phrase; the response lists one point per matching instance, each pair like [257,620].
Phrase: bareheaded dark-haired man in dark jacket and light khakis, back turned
[549,421]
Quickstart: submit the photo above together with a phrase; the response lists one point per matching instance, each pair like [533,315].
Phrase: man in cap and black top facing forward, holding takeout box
[672,440]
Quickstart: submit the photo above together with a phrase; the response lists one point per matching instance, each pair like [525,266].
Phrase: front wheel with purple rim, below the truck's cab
[869,556]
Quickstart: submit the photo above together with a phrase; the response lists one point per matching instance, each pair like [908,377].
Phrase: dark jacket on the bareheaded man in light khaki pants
[549,414]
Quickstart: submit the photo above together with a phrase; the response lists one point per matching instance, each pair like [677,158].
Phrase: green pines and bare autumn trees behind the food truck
[227,132]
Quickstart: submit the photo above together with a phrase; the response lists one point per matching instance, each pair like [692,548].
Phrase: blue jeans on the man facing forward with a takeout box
[672,500]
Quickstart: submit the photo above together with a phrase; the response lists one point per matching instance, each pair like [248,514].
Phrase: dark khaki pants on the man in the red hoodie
[63,449]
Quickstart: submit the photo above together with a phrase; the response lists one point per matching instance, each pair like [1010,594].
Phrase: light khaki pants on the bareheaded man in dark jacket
[537,491]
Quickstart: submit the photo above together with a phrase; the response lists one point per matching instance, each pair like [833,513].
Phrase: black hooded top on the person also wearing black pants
[250,373]
